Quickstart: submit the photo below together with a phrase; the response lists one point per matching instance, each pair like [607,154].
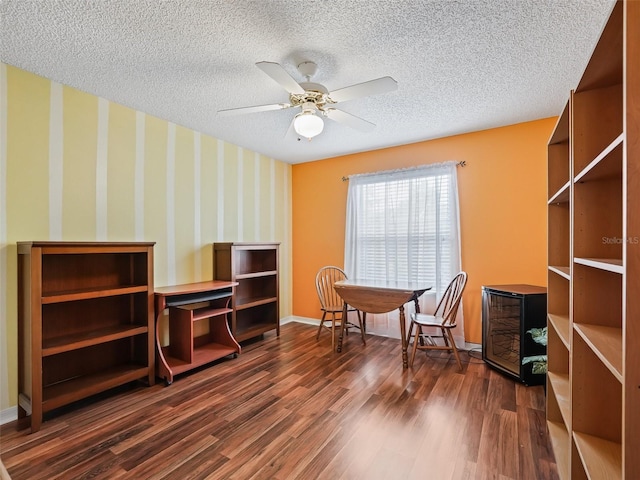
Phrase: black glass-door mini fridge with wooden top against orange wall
[513,341]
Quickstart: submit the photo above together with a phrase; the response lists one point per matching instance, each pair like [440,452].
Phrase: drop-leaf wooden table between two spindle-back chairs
[380,297]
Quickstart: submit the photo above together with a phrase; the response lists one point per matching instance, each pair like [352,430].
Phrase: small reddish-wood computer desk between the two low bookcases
[189,304]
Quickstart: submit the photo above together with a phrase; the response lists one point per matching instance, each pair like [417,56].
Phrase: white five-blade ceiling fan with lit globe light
[315,101]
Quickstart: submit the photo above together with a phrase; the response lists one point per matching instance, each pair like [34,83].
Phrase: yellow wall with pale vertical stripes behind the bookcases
[74,166]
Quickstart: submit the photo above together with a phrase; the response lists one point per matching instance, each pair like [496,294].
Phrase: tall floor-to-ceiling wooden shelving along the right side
[593,382]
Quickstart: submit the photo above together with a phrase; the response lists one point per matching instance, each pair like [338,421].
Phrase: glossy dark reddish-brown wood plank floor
[289,408]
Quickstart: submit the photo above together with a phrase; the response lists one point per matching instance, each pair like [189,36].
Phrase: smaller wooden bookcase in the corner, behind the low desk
[255,307]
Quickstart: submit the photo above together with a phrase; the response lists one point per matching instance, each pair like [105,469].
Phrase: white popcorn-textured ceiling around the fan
[461,66]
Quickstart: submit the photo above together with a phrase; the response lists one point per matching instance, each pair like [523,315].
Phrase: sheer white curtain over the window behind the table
[403,225]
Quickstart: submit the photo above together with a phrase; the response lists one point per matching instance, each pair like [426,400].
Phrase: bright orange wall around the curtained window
[502,191]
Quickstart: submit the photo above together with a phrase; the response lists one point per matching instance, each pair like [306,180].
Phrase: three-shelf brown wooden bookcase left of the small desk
[85,321]
